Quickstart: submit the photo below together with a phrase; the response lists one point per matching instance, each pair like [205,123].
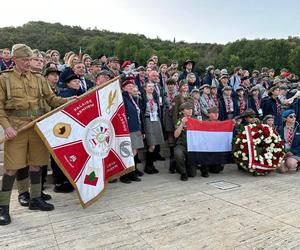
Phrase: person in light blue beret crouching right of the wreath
[290,133]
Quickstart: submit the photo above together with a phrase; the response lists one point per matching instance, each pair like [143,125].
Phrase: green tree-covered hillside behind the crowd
[250,54]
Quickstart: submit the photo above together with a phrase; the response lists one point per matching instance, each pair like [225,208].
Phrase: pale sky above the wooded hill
[212,21]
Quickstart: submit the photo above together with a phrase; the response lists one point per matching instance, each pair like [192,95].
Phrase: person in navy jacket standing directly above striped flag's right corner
[228,105]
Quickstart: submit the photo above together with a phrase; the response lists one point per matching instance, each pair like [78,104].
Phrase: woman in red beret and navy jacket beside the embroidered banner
[134,119]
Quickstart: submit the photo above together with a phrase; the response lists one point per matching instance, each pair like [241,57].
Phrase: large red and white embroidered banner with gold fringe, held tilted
[89,139]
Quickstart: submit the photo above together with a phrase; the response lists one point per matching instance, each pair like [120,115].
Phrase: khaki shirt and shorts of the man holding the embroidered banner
[23,98]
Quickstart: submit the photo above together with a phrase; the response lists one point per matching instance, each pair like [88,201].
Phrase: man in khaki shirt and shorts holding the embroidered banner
[23,97]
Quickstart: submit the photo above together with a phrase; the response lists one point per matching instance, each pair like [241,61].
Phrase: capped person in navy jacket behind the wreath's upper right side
[271,105]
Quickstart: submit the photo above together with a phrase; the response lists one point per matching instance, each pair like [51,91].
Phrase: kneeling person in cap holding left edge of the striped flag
[180,151]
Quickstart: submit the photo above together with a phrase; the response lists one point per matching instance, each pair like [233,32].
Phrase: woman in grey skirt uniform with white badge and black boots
[153,129]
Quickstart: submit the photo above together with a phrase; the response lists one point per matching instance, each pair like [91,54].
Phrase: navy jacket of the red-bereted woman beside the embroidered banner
[131,114]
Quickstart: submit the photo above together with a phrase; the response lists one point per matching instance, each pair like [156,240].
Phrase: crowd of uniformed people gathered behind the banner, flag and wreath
[158,98]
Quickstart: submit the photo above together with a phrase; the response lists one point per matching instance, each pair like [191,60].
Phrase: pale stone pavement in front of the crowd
[162,212]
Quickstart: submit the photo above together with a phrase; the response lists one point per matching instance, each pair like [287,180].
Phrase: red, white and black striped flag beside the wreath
[209,142]
